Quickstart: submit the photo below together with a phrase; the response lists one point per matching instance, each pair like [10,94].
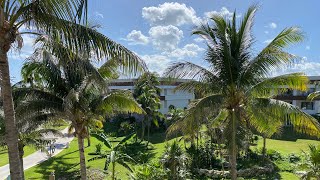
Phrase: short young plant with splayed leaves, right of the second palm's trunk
[114,155]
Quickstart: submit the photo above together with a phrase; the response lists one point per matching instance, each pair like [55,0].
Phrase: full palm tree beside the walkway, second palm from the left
[75,91]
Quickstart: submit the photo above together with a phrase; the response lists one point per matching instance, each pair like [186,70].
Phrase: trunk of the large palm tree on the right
[233,148]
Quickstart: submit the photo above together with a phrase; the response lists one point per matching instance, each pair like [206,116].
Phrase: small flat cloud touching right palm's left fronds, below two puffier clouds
[189,50]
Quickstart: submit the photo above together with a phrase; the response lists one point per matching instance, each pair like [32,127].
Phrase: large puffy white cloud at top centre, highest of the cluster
[172,13]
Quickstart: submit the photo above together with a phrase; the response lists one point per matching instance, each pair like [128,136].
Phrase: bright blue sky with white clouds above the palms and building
[160,31]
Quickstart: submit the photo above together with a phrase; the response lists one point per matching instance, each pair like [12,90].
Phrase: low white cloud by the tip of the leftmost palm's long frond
[156,63]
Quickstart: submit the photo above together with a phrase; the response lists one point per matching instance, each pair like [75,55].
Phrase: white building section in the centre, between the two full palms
[179,99]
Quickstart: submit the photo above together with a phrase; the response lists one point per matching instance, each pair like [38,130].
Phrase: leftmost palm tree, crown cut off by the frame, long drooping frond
[65,21]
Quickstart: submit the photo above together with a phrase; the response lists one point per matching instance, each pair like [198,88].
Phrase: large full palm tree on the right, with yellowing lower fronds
[236,80]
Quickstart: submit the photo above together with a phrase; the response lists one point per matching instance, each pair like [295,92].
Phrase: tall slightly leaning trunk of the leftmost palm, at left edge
[11,129]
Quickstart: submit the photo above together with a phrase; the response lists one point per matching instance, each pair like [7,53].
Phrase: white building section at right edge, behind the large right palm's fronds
[299,98]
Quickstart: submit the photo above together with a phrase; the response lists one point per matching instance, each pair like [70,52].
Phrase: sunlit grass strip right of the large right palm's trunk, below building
[287,147]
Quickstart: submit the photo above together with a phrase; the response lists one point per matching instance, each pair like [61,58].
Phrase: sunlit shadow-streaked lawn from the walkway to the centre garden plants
[68,160]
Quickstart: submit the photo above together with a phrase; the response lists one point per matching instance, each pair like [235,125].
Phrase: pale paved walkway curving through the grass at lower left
[38,157]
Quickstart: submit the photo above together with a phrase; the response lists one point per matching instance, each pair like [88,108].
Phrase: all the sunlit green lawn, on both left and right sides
[67,162]
